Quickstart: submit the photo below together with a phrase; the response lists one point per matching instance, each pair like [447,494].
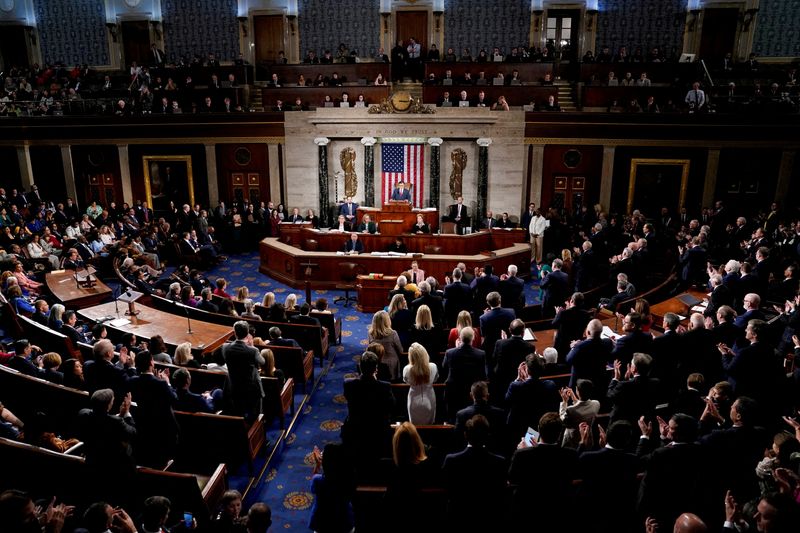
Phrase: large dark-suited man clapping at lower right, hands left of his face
[674,469]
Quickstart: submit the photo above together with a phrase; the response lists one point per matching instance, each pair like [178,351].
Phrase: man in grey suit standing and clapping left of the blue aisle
[243,388]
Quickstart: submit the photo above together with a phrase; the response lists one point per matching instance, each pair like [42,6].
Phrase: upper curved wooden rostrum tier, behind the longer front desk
[450,244]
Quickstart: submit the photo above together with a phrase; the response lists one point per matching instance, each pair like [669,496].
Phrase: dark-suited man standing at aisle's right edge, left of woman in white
[369,409]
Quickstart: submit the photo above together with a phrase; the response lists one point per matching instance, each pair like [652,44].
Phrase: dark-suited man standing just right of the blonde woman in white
[462,366]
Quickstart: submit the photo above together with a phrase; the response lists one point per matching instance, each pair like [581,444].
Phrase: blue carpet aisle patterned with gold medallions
[285,484]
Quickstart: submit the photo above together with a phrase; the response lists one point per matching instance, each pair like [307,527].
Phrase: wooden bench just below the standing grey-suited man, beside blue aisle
[211,438]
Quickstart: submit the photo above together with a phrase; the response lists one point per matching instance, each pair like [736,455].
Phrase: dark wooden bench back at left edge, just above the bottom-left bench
[27,395]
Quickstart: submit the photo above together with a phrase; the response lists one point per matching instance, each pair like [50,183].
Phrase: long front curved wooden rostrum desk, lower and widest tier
[285,263]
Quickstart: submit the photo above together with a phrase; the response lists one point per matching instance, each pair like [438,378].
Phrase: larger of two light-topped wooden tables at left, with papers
[205,337]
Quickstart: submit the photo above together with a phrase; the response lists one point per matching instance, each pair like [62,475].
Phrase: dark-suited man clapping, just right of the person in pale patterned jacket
[637,395]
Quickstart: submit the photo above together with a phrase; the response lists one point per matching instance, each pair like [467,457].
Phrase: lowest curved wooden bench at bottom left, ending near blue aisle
[46,474]
